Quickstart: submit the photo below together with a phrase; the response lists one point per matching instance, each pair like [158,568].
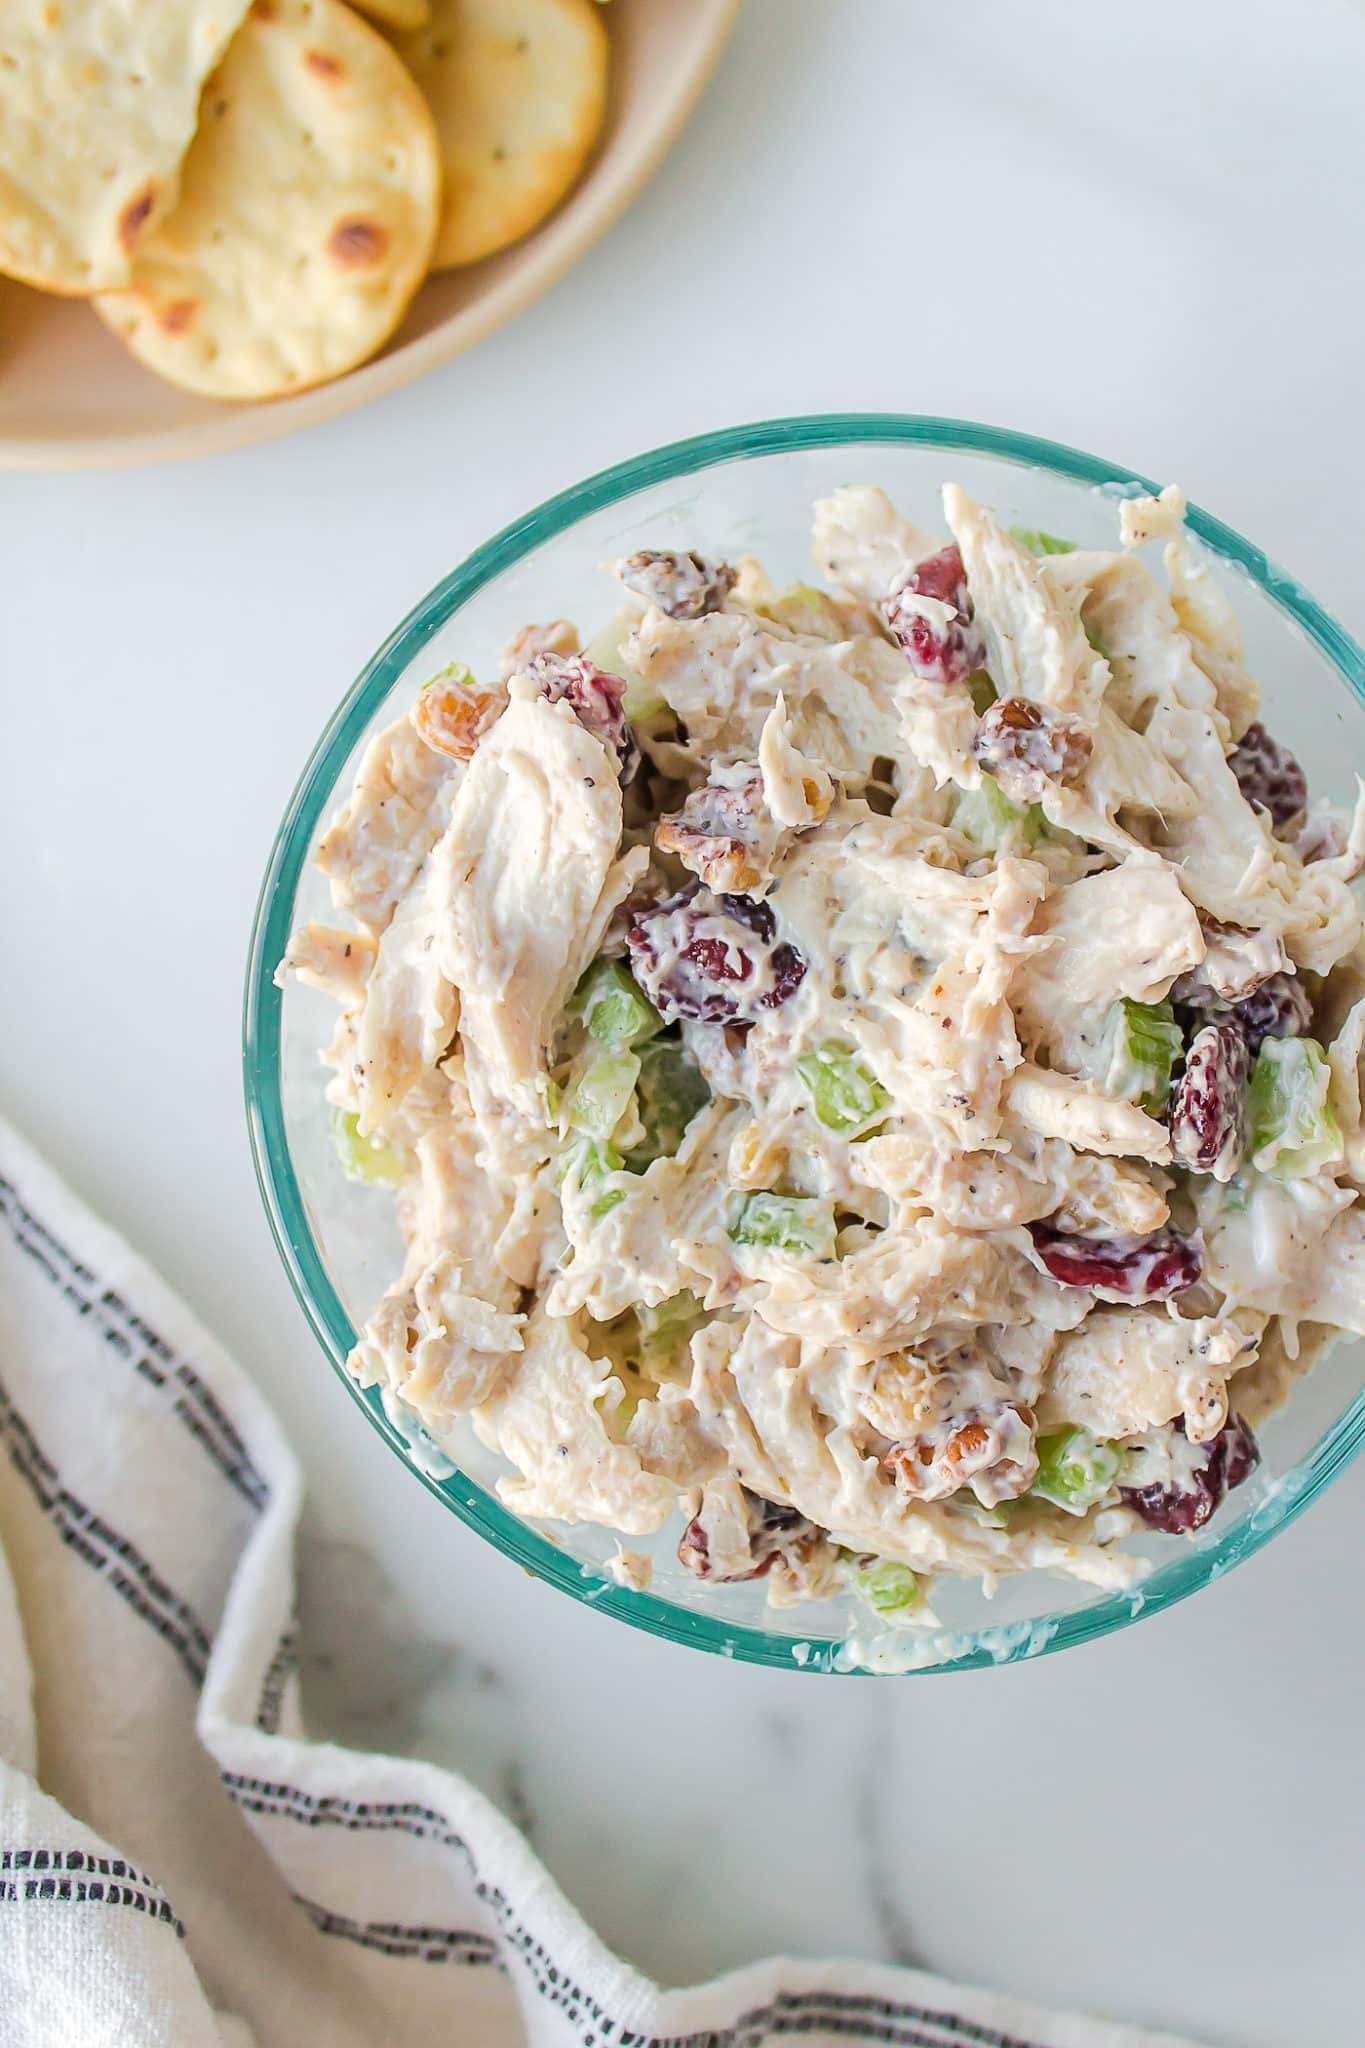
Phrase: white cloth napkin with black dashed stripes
[179,1865]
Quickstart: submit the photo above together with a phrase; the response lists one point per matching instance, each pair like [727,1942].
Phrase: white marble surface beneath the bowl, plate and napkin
[1135,230]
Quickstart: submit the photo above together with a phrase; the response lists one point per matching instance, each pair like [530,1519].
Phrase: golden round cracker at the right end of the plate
[519,91]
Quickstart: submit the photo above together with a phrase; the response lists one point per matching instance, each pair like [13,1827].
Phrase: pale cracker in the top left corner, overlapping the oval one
[97,110]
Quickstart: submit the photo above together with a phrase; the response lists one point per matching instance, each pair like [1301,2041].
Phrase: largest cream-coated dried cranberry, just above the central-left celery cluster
[713,957]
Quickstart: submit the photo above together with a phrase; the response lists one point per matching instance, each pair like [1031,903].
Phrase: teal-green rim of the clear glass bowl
[261,1041]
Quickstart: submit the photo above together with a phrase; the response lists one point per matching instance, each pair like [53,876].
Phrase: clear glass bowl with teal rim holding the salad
[752,488]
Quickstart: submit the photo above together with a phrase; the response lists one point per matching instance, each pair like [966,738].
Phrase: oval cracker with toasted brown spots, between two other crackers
[308,212]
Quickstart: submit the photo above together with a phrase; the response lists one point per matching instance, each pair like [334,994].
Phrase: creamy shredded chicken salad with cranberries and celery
[813,1142]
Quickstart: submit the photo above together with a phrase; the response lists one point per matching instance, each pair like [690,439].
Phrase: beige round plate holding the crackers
[73,398]
